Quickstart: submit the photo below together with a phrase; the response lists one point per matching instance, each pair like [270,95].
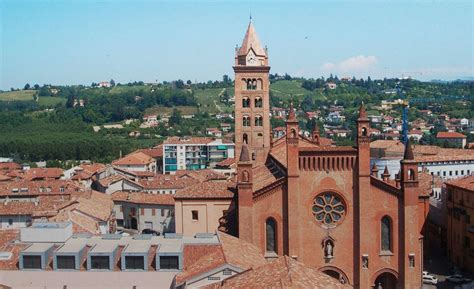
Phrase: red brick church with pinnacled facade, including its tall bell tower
[318,203]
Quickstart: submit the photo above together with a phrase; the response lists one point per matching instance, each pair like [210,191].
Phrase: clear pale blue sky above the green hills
[80,42]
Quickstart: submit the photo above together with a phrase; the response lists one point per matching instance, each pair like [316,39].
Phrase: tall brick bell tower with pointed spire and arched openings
[252,105]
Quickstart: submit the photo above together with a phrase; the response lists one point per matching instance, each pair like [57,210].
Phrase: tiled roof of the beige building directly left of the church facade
[207,190]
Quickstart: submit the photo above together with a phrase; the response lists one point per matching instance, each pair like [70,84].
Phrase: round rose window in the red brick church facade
[328,208]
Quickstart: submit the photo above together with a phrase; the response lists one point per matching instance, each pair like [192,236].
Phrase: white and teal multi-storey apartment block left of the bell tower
[194,153]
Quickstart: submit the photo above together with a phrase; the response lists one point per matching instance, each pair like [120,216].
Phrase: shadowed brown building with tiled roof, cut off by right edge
[460,194]
